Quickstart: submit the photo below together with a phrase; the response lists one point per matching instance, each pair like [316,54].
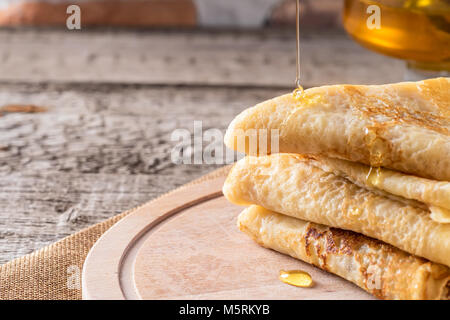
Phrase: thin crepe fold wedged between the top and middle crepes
[434,194]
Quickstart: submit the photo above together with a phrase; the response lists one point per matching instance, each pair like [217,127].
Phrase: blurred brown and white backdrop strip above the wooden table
[172,13]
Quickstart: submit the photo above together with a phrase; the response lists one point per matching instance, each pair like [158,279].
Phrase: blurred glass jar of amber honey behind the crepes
[417,31]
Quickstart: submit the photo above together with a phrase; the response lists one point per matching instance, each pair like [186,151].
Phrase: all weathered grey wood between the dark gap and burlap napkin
[98,150]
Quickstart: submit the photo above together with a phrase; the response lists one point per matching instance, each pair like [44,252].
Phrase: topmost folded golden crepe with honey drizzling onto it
[403,126]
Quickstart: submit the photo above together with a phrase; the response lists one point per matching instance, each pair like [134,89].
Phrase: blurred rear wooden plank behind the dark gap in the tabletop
[265,58]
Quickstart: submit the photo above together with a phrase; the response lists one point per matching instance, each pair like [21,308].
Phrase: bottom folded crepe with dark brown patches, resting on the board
[378,268]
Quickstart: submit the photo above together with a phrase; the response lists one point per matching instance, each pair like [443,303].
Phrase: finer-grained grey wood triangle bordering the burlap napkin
[37,209]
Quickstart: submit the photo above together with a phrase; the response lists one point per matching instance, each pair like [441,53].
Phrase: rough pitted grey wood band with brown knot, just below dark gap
[95,131]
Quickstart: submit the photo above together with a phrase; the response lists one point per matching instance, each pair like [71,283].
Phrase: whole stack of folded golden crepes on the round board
[360,186]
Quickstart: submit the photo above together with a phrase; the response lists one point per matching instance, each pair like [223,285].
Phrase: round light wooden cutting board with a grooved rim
[185,245]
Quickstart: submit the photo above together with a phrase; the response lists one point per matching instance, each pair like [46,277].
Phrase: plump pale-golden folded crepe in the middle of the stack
[290,184]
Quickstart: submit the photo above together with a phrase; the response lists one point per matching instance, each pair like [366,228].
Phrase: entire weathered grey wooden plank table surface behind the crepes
[112,100]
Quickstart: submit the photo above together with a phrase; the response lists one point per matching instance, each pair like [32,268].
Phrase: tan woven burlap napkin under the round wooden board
[53,272]
